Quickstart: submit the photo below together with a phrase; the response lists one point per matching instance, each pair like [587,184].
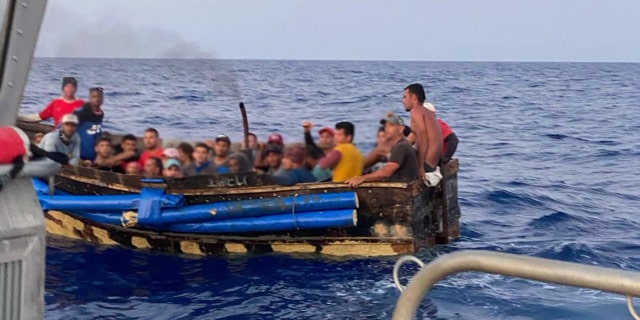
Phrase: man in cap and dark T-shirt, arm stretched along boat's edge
[403,162]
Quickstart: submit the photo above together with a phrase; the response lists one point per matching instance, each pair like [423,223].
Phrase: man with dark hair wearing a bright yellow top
[345,159]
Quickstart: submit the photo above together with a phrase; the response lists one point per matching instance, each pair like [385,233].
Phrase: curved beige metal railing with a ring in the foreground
[532,268]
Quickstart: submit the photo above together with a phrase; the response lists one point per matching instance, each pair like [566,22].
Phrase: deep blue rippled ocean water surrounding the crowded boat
[549,167]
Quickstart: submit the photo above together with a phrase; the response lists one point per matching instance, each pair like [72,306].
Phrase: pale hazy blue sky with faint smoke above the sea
[416,30]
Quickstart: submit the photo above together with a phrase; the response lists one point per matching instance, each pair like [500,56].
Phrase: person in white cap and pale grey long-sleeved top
[64,140]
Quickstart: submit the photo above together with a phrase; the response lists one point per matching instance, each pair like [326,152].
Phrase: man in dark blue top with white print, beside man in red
[90,127]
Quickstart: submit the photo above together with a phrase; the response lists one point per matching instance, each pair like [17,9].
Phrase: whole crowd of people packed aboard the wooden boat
[401,152]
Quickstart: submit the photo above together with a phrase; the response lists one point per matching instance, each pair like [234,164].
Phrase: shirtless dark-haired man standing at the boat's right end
[425,128]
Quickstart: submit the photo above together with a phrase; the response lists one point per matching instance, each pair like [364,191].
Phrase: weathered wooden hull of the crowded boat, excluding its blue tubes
[392,217]
